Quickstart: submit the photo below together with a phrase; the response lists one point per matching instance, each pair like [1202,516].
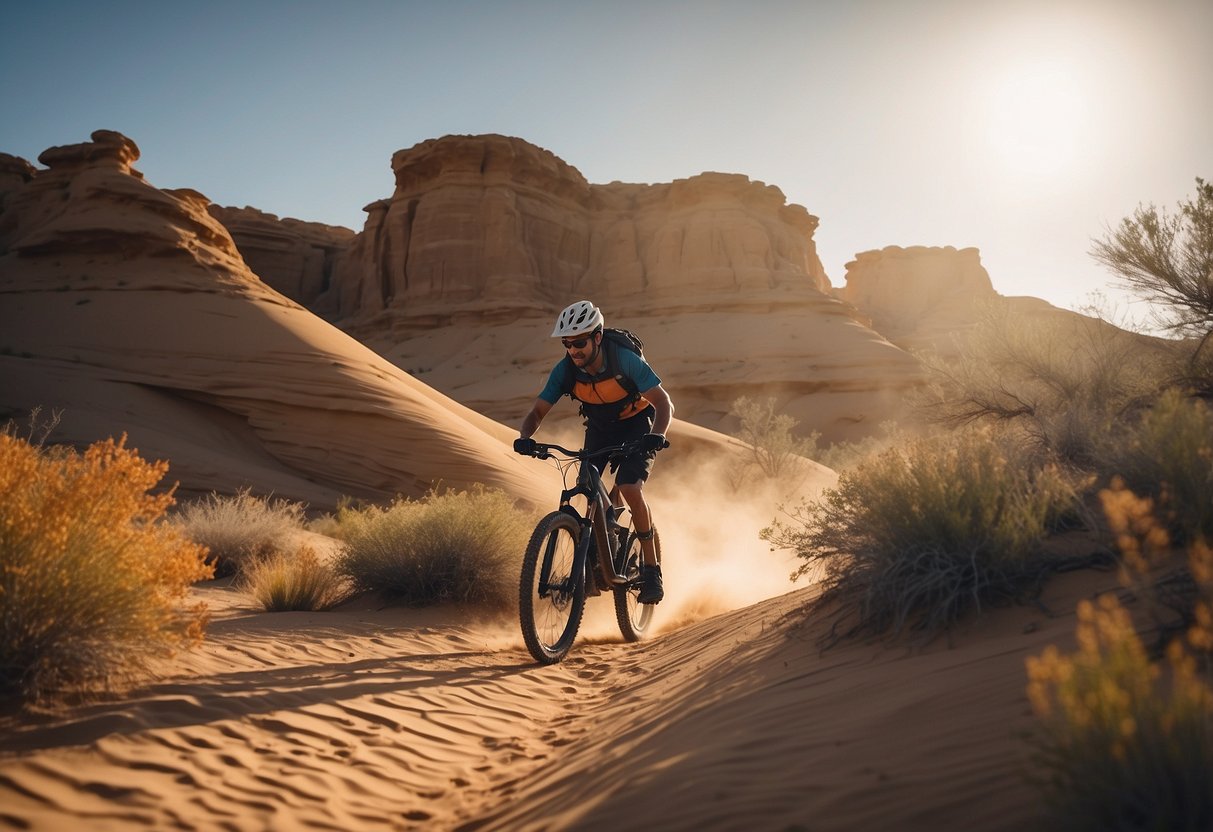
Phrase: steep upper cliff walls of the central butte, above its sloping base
[499,221]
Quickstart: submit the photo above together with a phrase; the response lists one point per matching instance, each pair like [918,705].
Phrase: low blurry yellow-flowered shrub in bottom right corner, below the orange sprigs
[1121,745]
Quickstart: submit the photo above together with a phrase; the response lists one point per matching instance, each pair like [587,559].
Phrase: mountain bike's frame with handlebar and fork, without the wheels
[597,525]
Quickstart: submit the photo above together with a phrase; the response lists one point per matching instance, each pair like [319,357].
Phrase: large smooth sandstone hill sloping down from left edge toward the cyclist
[130,310]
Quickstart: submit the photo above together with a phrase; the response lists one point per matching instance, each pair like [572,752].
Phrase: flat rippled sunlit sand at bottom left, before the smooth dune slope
[354,720]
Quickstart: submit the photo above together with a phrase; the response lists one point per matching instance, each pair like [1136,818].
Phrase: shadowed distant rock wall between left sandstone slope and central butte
[293,257]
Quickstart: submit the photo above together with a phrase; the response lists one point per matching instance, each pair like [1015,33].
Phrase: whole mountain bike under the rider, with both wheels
[572,555]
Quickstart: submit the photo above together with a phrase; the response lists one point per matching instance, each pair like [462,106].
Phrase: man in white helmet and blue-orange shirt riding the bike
[623,401]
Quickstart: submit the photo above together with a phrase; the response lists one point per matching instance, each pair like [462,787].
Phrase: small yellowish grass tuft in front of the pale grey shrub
[300,580]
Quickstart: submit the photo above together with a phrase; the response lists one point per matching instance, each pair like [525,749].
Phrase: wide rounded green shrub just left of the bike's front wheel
[455,546]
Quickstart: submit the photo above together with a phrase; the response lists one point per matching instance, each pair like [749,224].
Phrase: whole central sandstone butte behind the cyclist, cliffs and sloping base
[458,276]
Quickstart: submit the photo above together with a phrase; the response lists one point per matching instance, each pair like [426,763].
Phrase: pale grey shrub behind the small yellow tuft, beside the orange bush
[242,528]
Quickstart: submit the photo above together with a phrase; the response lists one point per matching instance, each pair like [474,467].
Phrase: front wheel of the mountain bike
[551,599]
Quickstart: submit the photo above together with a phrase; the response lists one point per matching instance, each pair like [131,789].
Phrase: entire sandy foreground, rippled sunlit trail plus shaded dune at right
[389,719]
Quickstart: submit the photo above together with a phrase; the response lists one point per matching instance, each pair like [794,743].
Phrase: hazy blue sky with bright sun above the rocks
[1022,128]
